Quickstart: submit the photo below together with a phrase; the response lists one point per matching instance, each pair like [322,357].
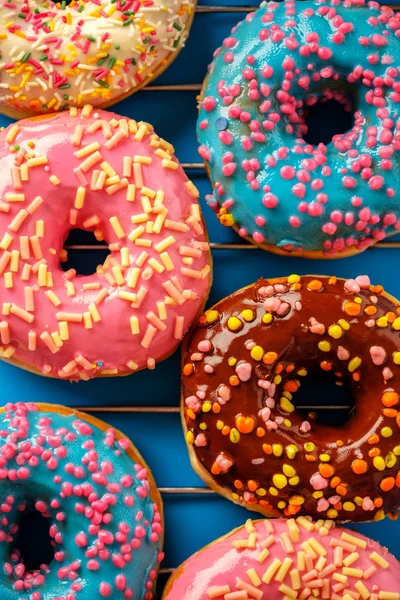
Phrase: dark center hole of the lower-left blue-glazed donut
[33,545]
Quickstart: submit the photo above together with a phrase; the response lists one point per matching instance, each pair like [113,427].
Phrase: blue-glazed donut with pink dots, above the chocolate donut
[277,190]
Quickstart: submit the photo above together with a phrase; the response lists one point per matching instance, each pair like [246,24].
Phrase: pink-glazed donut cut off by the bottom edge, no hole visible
[283,560]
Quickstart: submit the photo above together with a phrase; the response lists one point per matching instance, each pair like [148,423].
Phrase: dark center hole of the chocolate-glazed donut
[321,400]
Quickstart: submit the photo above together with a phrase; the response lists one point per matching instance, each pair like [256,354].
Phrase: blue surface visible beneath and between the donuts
[193,521]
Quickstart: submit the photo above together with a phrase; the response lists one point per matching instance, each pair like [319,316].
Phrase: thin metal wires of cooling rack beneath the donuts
[215,247]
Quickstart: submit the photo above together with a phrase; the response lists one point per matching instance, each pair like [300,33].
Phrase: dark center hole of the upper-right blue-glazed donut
[326,118]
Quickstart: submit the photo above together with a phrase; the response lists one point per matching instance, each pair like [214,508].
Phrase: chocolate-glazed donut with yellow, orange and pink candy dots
[243,364]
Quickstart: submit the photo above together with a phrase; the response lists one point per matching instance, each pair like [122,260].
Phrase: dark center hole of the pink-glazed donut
[84,252]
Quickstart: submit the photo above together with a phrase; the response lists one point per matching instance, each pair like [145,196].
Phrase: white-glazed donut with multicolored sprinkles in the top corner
[55,56]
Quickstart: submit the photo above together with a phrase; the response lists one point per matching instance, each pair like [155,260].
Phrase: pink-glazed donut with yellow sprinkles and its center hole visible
[96,171]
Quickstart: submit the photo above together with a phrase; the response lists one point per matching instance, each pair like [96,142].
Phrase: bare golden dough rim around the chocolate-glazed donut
[196,465]
